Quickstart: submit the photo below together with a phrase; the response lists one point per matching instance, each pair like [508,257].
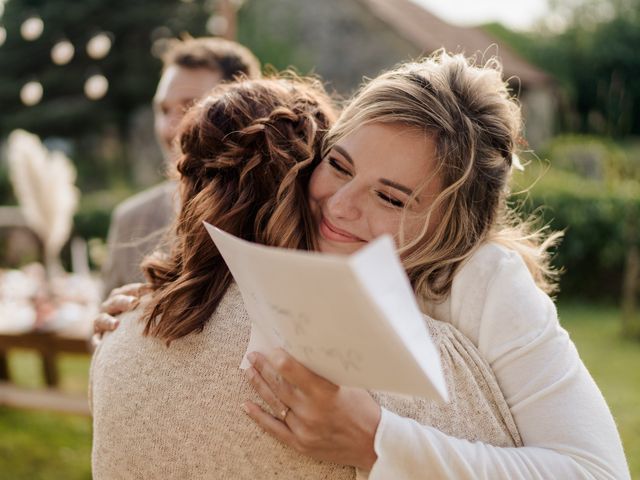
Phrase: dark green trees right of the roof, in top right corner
[595,60]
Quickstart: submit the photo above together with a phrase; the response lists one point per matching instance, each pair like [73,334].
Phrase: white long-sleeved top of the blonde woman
[565,424]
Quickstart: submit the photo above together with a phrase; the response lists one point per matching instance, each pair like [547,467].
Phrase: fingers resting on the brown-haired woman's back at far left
[120,300]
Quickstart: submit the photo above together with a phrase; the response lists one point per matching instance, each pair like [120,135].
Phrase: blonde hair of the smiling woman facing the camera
[476,125]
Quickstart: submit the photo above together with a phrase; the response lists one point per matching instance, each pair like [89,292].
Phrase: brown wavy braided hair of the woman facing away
[248,150]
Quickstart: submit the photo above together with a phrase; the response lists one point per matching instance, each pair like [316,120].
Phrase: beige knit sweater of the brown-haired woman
[174,413]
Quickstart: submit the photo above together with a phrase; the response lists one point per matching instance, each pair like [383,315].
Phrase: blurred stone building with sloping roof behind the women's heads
[346,40]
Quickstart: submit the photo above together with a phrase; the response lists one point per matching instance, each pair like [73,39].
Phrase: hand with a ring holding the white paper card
[314,416]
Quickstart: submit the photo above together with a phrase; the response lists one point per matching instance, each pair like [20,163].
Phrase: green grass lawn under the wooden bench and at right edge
[42,445]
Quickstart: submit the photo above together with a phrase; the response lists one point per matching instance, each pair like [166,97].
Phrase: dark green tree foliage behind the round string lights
[130,68]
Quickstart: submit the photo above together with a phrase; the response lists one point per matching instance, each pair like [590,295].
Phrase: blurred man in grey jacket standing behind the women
[191,68]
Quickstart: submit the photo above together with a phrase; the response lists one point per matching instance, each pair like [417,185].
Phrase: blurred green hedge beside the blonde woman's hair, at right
[598,211]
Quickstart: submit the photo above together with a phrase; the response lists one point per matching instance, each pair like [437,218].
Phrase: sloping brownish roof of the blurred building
[429,33]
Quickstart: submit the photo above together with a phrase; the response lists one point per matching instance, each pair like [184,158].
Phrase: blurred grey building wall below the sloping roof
[338,39]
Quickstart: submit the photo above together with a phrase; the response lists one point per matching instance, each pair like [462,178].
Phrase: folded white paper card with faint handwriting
[353,320]
